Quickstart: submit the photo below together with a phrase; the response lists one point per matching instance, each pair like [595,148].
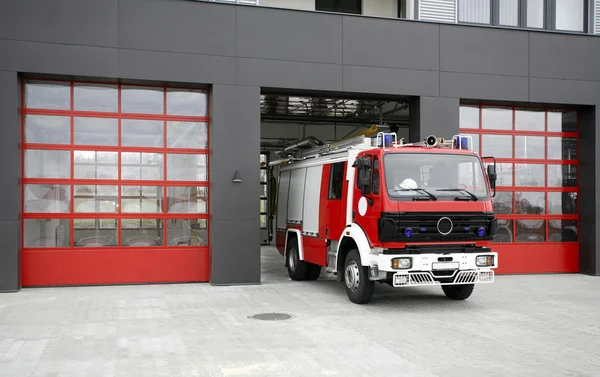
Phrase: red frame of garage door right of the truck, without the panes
[538,257]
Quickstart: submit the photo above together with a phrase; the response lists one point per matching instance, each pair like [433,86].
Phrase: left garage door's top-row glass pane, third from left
[142,100]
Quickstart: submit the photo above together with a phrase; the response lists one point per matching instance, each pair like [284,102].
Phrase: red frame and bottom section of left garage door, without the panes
[114,264]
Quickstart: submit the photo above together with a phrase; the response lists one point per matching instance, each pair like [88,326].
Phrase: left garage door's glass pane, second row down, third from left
[142,133]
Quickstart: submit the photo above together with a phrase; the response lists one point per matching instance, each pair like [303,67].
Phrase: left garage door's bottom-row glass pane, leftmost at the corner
[46,232]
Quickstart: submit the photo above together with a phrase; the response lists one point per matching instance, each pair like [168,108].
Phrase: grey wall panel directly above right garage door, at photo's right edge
[564,91]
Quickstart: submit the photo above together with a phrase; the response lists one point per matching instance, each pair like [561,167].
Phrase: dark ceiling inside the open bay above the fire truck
[315,110]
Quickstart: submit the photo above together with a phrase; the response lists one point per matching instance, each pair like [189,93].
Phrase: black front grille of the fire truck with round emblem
[423,227]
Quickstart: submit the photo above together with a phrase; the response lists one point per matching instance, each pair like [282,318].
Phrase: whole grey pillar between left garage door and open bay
[235,145]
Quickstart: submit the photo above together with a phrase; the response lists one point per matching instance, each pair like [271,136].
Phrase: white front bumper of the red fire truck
[434,269]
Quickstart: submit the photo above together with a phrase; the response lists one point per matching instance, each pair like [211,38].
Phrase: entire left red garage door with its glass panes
[115,184]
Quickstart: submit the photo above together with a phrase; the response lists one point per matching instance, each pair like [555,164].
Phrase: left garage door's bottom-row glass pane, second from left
[95,232]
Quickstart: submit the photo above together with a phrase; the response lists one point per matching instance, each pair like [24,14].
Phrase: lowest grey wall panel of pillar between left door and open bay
[236,252]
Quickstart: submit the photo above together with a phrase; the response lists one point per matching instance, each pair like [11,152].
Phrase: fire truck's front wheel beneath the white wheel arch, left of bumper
[358,286]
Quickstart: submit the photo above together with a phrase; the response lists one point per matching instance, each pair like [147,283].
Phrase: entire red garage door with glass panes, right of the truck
[538,183]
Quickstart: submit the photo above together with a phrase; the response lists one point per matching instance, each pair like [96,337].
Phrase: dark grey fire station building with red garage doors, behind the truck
[135,133]
